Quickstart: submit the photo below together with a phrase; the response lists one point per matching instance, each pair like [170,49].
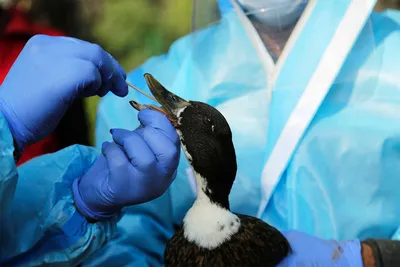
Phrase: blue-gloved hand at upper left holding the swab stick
[48,75]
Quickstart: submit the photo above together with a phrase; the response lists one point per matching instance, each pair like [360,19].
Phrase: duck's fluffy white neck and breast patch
[209,222]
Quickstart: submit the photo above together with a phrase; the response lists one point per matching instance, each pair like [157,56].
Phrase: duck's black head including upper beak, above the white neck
[206,140]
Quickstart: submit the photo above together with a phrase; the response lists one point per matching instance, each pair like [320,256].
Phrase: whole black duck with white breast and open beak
[210,233]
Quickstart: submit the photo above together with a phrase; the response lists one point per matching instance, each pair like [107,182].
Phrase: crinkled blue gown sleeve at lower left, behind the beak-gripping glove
[39,223]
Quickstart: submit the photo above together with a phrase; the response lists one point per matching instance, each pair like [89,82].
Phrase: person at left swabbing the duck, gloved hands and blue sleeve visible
[59,208]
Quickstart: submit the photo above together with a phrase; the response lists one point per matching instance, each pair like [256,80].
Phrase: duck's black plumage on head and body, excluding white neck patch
[208,139]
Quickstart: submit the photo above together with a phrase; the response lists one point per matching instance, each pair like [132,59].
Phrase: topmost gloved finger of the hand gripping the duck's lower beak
[157,120]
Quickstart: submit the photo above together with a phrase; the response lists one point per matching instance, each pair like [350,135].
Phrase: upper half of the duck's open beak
[170,102]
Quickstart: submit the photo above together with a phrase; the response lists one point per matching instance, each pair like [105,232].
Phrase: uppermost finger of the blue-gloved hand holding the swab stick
[112,78]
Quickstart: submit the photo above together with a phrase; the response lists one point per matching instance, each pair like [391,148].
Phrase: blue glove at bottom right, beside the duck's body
[308,250]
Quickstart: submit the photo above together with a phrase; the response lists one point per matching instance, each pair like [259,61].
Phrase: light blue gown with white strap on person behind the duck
[317,135]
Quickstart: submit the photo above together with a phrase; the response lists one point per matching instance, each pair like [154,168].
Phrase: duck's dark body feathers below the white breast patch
[256,244]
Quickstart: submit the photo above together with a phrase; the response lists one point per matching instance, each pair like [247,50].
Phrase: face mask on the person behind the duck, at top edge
[275,13]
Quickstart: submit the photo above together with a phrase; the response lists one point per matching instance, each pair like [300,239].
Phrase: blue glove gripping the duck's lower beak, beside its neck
[137,167]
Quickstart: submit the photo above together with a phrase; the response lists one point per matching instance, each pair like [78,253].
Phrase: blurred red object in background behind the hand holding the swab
[12,40]
